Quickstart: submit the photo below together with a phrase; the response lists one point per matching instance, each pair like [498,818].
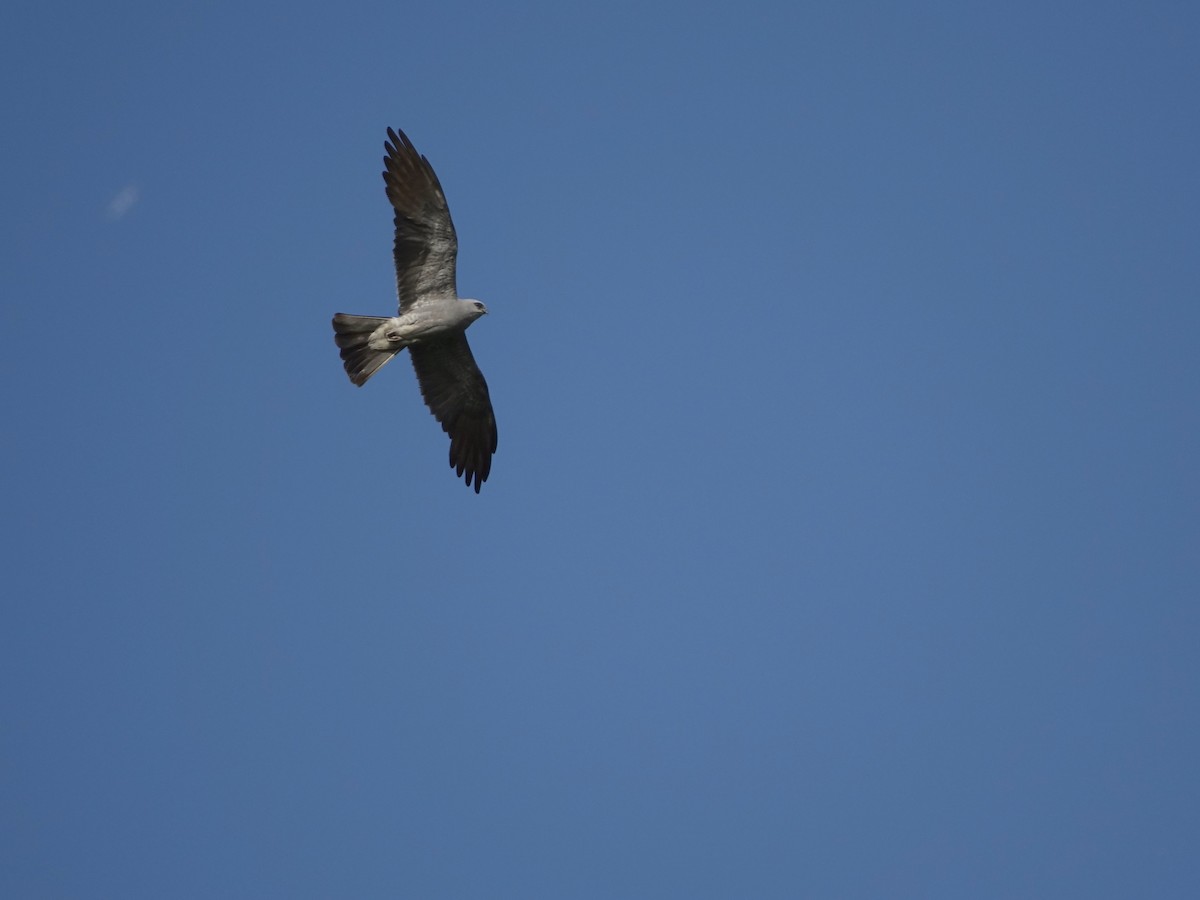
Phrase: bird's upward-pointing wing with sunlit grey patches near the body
[427,247]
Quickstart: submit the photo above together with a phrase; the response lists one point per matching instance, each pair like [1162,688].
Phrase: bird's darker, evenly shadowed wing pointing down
[455,392]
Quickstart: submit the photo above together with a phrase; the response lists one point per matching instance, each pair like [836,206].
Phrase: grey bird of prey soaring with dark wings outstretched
[433,320]
